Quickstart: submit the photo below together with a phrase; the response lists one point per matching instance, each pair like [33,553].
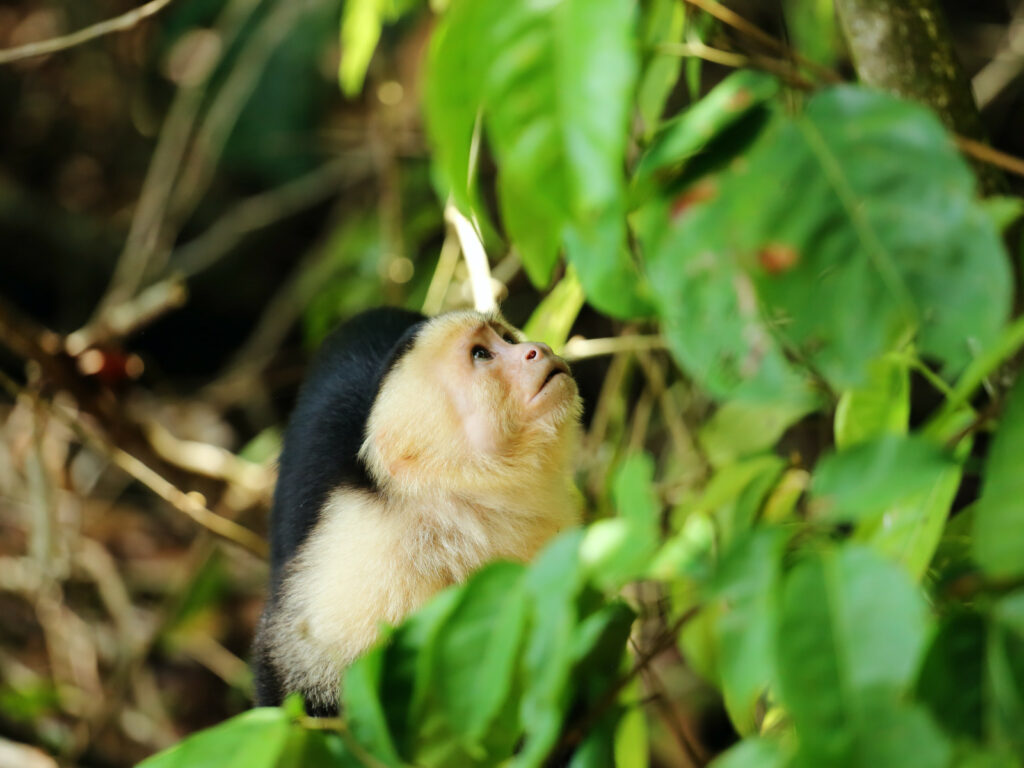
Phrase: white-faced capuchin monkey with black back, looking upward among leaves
[419,450]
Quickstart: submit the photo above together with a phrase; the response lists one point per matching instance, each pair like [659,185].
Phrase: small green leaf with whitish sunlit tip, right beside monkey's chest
[619,550]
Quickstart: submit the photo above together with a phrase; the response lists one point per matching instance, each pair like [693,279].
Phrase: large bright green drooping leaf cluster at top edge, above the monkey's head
[553,83]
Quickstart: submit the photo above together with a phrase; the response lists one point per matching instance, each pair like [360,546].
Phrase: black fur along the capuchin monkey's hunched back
[328,426]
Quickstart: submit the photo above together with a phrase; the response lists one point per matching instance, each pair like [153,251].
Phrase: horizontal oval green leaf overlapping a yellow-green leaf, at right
[872,478]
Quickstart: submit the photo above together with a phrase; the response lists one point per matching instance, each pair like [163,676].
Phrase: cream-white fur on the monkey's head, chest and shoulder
[470,475]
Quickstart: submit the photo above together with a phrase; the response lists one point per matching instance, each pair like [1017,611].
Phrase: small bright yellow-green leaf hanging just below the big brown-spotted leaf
[880,407]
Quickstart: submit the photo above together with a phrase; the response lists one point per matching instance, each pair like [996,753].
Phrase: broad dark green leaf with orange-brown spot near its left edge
[864,205]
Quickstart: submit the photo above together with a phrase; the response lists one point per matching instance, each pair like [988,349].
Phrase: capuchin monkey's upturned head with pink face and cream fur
[471,404]
